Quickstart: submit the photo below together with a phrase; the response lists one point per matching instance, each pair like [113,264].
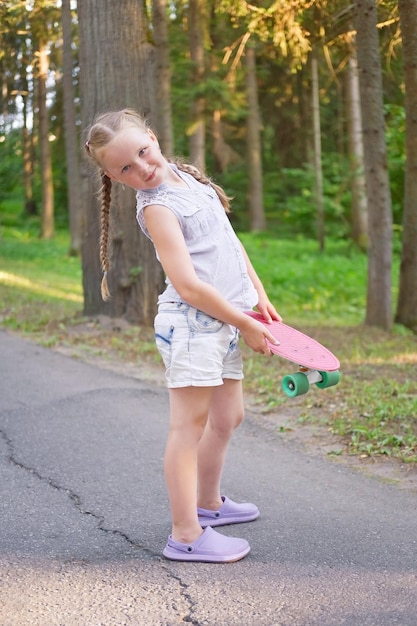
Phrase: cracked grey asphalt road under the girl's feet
[84,516]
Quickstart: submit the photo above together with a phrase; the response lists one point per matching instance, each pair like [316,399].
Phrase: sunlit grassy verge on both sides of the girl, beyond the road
[372,412]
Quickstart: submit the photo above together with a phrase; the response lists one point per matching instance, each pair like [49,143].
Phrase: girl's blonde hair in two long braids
[105,127]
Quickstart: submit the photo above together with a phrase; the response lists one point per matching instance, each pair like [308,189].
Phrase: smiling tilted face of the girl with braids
[133,158]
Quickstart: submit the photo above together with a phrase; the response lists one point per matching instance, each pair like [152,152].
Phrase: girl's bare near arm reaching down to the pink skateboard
[169,242]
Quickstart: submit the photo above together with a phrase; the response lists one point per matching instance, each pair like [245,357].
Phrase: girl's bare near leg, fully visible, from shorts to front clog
[189,409]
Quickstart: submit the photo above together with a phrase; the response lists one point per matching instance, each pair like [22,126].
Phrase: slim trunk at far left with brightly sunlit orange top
[47,223]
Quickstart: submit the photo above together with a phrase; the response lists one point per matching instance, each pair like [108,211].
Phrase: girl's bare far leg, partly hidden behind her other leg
[225,414]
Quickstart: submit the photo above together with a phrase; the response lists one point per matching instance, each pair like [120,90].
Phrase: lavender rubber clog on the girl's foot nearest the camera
[210,547]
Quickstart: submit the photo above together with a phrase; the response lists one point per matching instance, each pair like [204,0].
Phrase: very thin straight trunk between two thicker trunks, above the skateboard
[318,171]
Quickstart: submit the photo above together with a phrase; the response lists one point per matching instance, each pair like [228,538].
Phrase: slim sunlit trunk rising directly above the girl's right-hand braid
[197,129]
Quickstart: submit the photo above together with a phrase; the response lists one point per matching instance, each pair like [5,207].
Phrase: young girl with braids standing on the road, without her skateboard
[210,283]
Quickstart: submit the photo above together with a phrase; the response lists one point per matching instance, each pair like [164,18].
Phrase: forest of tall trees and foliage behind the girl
[304,111]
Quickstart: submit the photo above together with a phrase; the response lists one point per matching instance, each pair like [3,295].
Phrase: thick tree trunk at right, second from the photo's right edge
[379,297]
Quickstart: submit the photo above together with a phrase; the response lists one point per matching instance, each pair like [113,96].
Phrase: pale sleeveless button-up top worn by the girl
[210,239]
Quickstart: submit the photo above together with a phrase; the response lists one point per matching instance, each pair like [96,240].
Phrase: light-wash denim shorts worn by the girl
[197,350]
